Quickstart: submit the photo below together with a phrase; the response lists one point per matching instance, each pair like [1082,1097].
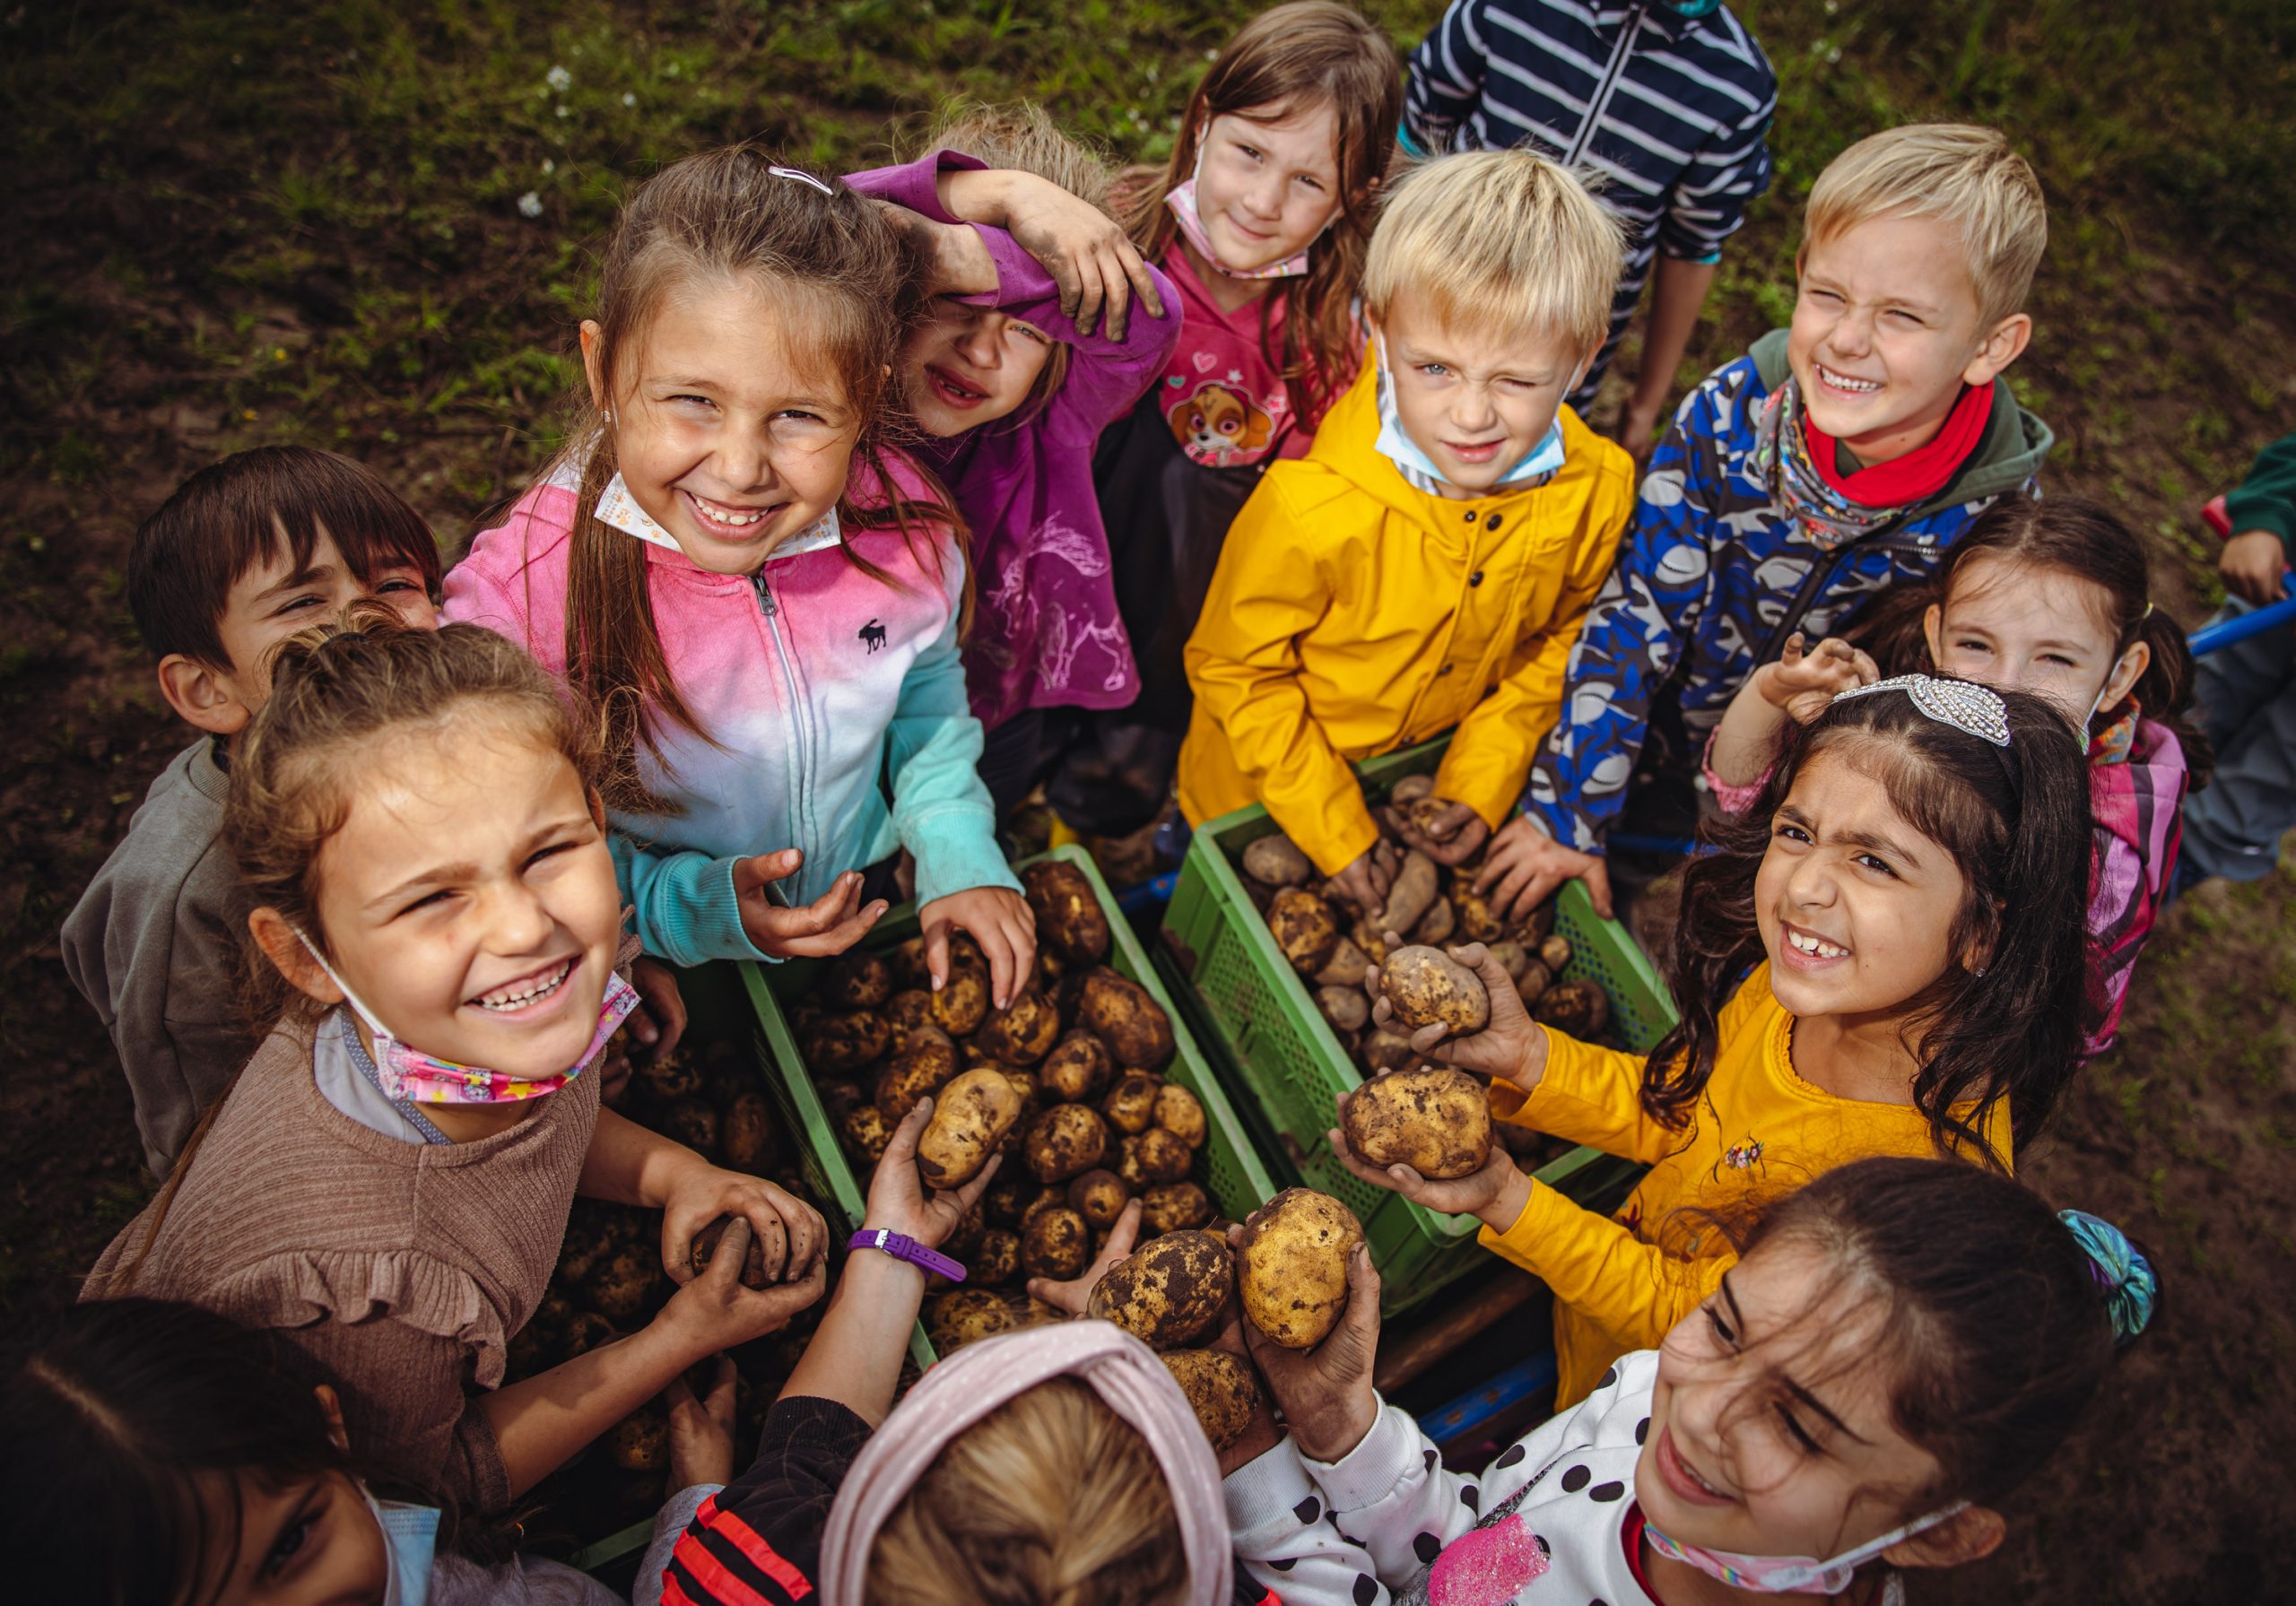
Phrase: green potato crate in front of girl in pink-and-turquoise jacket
[1227,1167]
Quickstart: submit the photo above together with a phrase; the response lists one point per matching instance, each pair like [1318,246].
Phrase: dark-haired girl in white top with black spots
[1898,1350]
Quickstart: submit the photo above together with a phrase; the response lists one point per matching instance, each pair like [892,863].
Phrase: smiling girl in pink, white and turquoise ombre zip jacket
[761,595]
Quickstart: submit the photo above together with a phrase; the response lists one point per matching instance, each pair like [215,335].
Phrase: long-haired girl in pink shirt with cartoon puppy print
[1262,219]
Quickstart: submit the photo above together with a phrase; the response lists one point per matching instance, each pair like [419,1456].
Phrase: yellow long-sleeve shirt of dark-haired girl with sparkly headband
[1760,1132]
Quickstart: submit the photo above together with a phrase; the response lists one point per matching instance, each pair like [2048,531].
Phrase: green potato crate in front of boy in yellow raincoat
[1262,1022]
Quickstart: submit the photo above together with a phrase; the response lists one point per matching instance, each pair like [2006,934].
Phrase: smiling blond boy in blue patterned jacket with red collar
[1838,458]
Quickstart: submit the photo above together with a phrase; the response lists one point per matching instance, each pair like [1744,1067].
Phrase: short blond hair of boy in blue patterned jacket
[1957,173]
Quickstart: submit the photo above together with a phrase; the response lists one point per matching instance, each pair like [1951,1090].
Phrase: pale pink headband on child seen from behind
[986,1375]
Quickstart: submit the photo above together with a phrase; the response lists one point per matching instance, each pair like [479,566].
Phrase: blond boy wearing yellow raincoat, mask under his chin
[1432,559]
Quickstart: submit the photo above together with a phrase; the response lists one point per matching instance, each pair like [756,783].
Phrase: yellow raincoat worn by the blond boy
[1353,616]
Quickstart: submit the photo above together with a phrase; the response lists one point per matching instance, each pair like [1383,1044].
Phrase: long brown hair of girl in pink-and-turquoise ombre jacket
[844,276]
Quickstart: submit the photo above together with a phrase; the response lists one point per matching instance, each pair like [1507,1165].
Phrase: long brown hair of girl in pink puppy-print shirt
[1298,54]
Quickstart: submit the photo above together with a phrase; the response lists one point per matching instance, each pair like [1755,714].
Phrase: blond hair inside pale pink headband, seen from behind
[1048,1502]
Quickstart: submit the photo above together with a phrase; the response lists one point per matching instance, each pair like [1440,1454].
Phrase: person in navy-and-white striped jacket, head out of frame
[1670,111]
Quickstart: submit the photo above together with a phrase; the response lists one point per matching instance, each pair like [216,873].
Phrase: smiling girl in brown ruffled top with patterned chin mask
[389,1180]
